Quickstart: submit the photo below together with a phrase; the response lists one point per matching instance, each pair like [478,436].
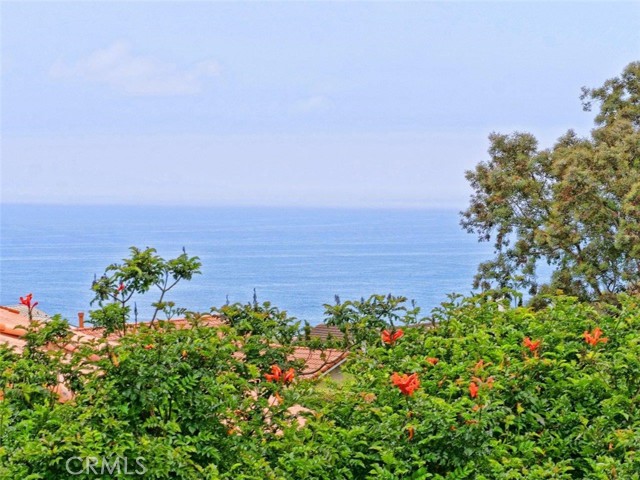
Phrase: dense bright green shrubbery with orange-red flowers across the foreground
[194,403]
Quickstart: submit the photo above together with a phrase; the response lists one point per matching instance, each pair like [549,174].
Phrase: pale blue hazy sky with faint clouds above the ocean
[323,104]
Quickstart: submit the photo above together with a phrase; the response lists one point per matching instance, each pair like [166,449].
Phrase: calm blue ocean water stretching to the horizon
[296,258]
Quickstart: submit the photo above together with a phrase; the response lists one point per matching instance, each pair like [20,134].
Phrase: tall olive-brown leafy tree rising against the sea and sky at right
[575,206]
